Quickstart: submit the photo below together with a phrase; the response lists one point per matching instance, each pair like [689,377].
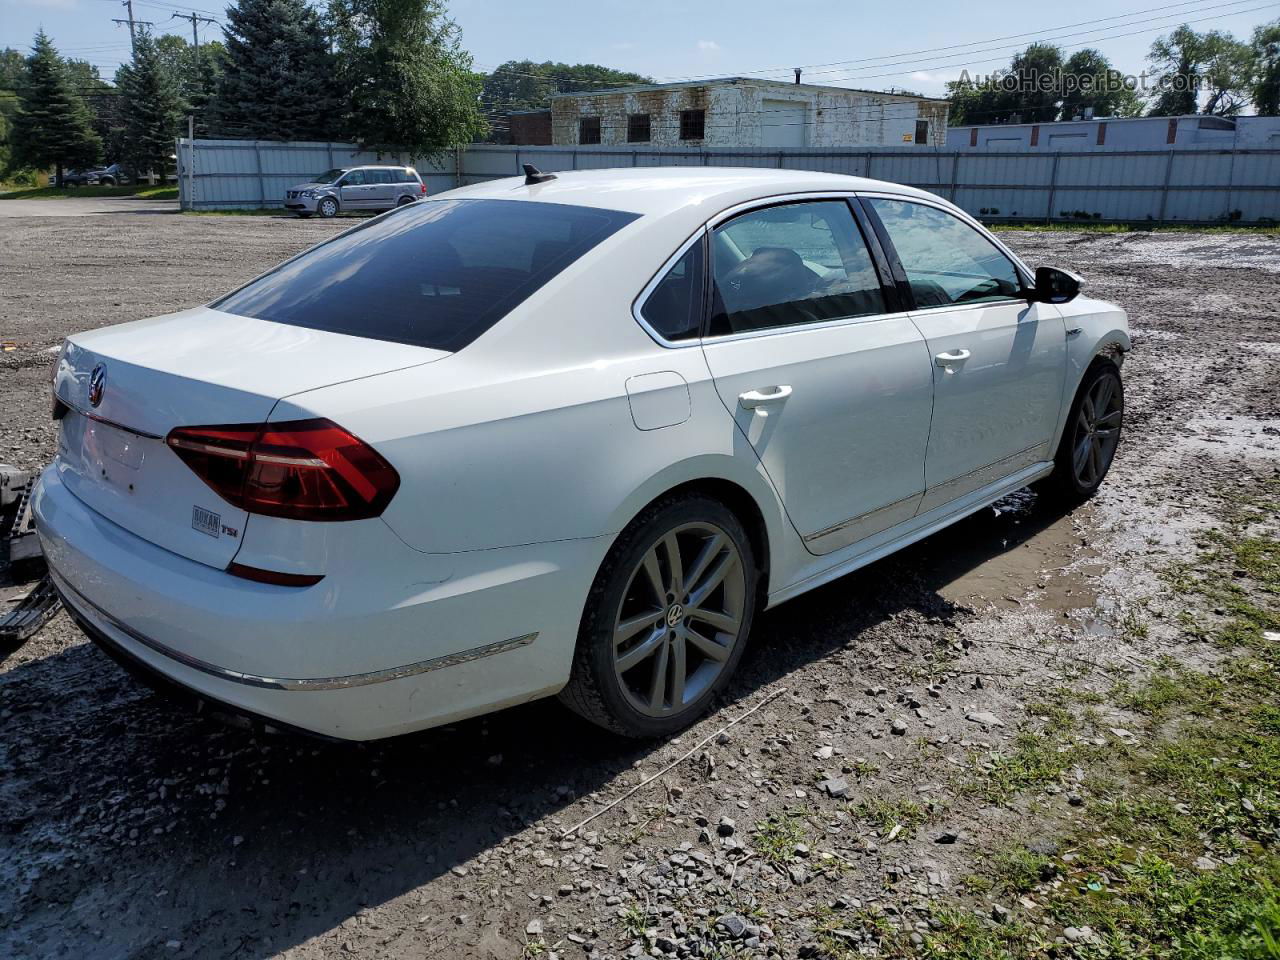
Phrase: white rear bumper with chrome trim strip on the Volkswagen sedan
[381,655]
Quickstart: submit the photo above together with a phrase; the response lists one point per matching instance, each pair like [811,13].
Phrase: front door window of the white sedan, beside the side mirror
[947,260]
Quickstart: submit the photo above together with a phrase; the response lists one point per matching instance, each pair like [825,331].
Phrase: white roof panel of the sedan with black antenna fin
[666,190]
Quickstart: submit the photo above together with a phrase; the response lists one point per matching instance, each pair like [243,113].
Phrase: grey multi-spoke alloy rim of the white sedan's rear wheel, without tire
[680,619]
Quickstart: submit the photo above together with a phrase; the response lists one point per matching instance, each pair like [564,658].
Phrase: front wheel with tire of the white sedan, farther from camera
[1090,438]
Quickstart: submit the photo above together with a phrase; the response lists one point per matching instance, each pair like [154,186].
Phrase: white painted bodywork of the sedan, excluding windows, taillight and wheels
[522,458]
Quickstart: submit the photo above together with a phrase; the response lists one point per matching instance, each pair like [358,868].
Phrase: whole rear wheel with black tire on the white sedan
[666,621]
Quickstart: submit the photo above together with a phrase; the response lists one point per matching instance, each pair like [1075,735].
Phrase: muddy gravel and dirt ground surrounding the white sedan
[1008,650]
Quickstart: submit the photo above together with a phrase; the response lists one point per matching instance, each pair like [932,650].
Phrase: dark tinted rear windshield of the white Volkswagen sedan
[433,275]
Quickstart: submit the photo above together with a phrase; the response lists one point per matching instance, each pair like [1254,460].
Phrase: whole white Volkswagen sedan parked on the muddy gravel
[556,436]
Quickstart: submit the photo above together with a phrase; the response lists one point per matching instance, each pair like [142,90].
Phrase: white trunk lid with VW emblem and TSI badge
[196,368]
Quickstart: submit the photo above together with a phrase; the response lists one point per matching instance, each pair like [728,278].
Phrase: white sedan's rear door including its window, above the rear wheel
[828,380]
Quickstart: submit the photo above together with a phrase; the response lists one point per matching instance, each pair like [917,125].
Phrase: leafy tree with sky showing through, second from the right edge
[1188,63]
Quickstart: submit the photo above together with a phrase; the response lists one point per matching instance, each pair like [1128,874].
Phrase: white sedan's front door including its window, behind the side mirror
[999,362]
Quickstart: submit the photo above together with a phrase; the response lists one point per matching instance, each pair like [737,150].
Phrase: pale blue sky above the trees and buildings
[858,45]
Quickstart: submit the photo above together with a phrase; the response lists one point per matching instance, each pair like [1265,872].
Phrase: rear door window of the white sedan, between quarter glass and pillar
[792,264]
